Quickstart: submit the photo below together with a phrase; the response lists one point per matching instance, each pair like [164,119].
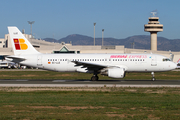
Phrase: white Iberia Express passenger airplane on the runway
[111,65]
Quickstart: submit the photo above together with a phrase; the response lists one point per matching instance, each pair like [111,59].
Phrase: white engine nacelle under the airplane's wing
[116,72]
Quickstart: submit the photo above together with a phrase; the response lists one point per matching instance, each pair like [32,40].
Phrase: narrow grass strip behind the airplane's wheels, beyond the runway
[171,75]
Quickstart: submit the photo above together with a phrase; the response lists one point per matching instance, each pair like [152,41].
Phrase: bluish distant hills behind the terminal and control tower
[140,42]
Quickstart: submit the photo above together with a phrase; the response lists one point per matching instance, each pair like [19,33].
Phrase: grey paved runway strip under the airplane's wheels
[88,83]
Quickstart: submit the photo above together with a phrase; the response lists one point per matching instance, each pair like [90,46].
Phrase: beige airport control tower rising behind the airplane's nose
[153,27]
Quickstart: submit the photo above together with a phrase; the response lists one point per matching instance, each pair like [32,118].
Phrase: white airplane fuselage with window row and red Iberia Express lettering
[131,62]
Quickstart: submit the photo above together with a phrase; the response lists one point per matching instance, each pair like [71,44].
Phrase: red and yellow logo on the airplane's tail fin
[20,44]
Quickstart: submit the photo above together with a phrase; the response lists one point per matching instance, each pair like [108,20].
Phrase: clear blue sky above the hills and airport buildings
[60,18]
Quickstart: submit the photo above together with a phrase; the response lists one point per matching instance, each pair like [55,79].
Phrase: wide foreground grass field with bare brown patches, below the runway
[101,103]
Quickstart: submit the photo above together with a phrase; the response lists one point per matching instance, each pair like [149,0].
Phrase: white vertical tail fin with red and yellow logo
[20,44]
